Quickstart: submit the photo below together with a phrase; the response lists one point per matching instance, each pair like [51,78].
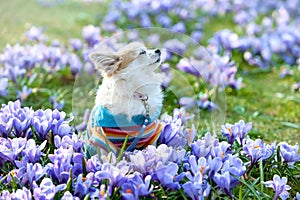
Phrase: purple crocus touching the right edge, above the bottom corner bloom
[288,153]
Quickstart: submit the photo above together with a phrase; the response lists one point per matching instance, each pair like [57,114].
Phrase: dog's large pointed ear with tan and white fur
[107,63]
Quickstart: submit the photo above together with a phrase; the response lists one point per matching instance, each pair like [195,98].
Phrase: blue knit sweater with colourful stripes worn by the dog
[108,132]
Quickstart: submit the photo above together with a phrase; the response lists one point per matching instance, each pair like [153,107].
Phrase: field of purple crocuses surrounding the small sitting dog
[42,152]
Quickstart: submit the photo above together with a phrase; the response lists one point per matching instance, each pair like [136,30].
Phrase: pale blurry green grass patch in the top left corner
[60,21]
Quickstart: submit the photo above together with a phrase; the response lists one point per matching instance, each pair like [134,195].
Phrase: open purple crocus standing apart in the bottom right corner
[279,186]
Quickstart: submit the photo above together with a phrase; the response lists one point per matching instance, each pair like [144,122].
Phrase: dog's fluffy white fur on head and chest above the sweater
[119,85]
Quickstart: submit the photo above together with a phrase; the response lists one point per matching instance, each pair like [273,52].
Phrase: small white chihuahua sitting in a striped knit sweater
[129,100]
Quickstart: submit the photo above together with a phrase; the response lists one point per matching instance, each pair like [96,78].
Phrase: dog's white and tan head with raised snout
[131,57]
